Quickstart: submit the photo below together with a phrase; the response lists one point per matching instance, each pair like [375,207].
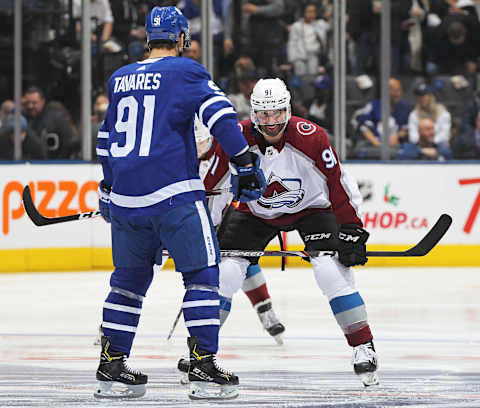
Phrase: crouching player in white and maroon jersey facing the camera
[309,191]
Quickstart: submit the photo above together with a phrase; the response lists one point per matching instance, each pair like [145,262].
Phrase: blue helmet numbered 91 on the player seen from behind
[167,23]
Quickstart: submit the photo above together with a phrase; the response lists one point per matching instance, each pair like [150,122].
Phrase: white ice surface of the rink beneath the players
[426,324]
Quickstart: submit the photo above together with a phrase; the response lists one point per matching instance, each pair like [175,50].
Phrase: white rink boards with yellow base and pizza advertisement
[401,203]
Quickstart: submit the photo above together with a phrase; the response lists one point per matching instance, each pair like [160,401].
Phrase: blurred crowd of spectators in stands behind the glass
[435,55]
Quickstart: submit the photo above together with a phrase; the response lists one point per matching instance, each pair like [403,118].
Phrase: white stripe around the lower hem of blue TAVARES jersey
[162,194]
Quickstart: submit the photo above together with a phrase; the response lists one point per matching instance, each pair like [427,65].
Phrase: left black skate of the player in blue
[113,371]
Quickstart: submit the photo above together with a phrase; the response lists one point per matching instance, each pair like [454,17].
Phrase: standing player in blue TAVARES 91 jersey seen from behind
[152,195]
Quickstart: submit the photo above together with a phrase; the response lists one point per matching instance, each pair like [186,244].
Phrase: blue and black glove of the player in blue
[248,182]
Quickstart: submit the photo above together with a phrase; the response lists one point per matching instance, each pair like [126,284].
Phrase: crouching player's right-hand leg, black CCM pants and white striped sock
[320,232]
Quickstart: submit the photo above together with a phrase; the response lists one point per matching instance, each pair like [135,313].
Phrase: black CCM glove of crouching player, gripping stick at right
[351,245]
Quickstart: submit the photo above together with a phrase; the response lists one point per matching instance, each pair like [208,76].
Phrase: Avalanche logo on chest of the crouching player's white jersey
[281,192]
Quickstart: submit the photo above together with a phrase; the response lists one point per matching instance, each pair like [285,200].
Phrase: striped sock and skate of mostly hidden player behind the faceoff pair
[255,287]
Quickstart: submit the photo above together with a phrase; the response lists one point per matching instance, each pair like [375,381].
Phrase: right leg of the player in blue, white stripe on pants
[194,249]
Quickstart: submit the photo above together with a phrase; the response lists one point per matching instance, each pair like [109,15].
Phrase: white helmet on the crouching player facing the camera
[270,94]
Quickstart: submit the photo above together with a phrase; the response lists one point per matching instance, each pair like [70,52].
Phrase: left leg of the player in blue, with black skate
[132,248]
